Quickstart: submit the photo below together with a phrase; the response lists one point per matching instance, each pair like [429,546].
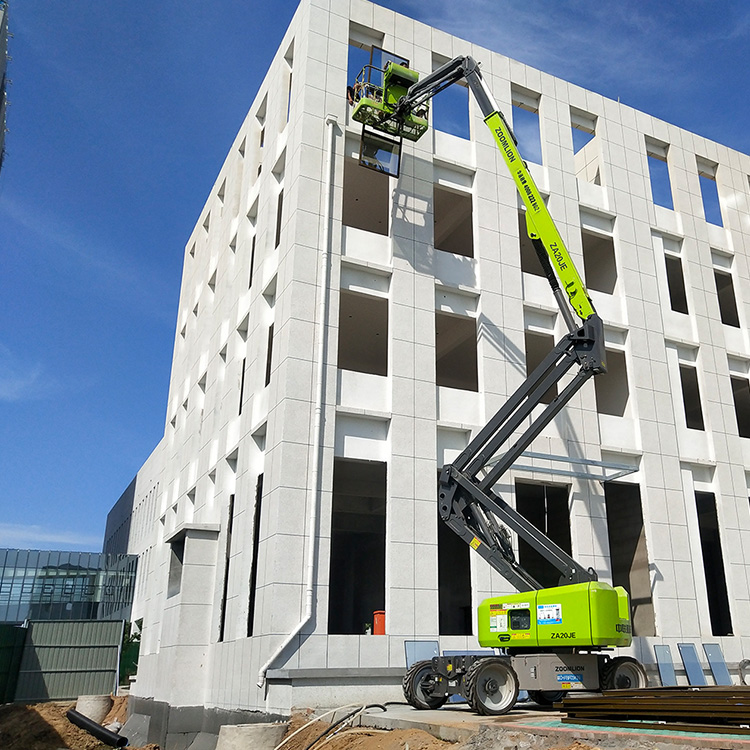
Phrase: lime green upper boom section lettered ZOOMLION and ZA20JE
[538,219]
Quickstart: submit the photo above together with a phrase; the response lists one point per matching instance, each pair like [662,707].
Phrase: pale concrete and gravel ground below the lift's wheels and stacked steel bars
[457,723]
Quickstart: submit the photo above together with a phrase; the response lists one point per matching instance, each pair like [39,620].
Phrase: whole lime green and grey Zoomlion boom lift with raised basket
[551,637]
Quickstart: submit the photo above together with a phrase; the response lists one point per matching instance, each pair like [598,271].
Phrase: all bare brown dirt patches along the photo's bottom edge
[44,726]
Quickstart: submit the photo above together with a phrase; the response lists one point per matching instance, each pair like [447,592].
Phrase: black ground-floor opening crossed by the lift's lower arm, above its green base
[545,506]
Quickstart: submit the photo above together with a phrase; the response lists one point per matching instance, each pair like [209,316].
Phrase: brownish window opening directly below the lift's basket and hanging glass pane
[365,198]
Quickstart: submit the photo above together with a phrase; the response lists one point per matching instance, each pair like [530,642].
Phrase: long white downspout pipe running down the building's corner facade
[322,319]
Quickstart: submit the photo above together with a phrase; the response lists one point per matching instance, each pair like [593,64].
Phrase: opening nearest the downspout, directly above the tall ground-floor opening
[363,333]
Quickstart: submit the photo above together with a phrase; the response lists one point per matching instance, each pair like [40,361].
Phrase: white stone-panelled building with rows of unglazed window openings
[341,335]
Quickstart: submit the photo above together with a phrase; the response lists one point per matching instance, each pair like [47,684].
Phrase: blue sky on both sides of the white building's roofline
[120,117]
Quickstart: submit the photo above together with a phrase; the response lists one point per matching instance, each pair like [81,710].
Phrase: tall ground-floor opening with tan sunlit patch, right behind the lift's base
[628,553]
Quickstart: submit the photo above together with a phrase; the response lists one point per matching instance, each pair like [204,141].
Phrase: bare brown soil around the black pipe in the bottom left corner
[44,726]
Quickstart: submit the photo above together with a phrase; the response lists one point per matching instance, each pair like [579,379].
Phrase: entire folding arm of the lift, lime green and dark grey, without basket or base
[466,498]
